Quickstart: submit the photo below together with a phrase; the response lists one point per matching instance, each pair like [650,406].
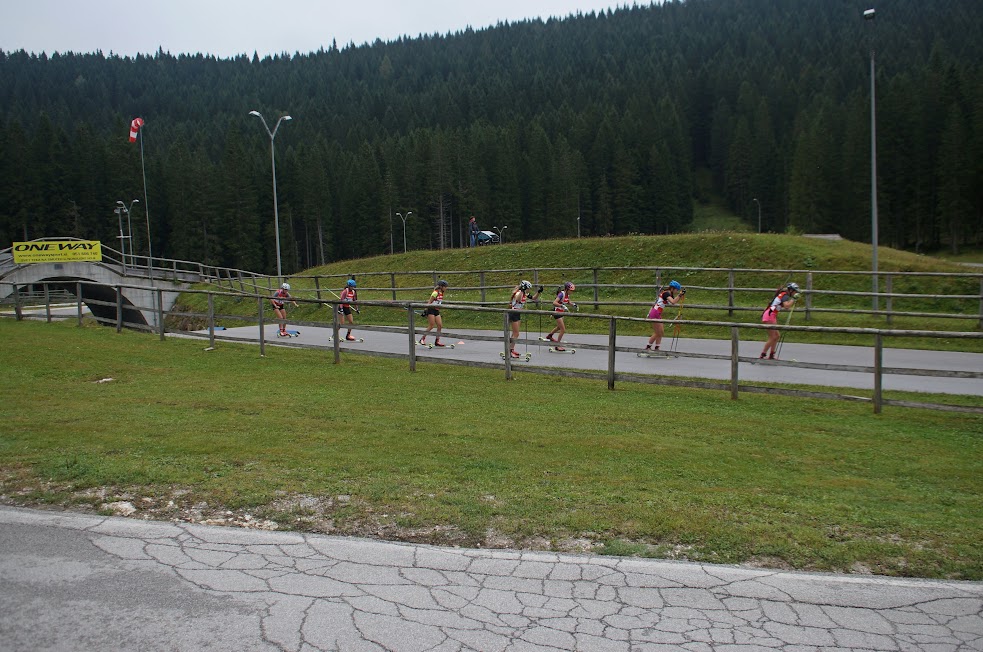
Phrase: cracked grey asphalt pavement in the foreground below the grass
[81,582]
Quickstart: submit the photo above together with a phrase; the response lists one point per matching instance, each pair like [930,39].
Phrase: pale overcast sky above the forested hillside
[226,28]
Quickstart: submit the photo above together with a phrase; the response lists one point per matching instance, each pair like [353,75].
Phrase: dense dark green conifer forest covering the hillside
[617,122]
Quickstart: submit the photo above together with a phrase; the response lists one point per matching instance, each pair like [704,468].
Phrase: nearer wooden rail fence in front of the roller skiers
[612,375]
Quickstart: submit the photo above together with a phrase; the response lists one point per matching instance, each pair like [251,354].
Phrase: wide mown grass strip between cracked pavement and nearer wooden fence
[454,455]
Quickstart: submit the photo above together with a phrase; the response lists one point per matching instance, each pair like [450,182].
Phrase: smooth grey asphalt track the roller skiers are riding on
[628,362]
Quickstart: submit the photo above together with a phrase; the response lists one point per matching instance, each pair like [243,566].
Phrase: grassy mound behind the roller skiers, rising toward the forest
[416,270]
